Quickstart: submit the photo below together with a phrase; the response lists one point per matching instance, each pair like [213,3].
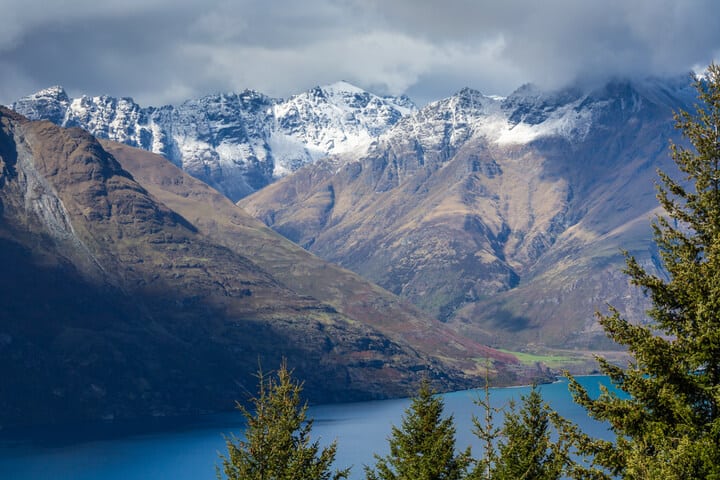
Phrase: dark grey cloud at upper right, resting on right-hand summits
[557,41]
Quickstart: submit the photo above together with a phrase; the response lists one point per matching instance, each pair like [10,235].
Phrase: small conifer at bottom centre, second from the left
[424,448]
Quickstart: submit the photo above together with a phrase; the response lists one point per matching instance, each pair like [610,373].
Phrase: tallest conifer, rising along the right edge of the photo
[667,422]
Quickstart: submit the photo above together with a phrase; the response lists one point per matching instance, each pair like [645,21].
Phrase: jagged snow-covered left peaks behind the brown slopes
[237,143]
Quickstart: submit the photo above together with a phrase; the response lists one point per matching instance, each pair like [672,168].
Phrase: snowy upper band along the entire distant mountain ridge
[240,142]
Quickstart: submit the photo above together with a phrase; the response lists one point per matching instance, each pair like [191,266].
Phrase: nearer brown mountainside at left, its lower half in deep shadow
[130,289]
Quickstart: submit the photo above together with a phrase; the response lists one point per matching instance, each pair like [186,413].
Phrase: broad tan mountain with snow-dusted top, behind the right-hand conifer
[502,216]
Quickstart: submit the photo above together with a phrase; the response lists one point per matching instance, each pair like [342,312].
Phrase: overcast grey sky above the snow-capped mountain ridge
[166,51]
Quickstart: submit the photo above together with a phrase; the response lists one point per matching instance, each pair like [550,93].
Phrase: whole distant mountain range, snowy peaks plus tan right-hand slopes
[503,217]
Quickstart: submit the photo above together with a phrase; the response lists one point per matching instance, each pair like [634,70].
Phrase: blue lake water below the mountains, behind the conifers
[188,448]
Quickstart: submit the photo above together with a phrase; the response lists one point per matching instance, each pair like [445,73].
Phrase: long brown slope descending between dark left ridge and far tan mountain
[228,225]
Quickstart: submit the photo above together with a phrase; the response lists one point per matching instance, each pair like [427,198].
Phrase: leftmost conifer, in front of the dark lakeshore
[277,443]
